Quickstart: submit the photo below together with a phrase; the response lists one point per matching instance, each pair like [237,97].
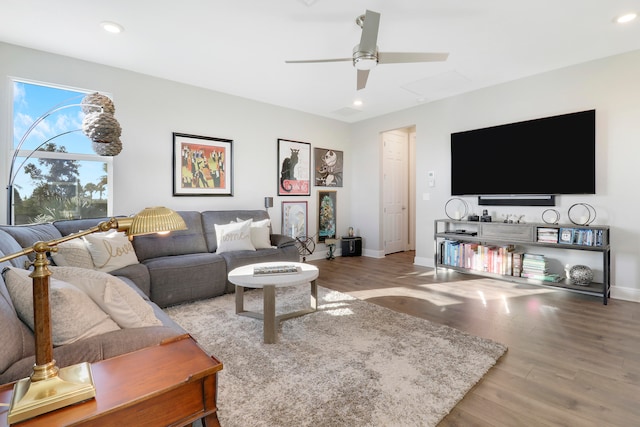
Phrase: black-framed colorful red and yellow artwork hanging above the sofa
[202,165]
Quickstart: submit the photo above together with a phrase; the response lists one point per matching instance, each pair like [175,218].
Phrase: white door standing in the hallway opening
[395,176]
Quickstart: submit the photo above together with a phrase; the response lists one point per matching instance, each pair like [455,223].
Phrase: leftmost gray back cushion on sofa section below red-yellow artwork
[189,241]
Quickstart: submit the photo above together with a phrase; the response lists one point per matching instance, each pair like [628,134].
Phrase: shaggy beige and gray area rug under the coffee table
[351,363]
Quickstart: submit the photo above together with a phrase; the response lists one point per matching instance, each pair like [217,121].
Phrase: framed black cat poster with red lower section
[294,164]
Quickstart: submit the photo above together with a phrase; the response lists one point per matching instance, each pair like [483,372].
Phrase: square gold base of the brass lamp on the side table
[73,384]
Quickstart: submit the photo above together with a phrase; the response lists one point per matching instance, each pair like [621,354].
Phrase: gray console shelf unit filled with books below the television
[506,251]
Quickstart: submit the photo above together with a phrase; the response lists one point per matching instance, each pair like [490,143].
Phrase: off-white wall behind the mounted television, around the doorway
[609,85]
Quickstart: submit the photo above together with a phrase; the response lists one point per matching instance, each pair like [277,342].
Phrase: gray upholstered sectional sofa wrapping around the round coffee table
[180,267]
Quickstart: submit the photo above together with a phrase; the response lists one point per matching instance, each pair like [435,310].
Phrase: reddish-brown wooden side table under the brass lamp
[174,384]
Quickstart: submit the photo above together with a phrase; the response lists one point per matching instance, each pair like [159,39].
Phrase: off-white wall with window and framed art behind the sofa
[151,109]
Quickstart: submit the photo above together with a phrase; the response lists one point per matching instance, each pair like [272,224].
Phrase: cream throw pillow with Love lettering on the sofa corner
[110,250]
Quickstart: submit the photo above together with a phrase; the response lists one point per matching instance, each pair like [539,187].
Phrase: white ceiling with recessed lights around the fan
[239,46]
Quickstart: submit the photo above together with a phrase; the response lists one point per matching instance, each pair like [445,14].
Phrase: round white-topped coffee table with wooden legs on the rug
[246,277]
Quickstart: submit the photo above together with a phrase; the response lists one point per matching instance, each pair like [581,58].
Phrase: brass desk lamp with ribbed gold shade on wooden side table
[49,387]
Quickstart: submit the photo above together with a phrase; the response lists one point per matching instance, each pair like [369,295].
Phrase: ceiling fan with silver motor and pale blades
[366,56]
